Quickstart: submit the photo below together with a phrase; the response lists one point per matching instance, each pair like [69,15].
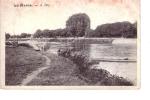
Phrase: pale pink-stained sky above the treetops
[16,20]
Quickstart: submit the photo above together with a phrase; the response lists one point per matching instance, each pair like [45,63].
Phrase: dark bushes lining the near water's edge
[92,76]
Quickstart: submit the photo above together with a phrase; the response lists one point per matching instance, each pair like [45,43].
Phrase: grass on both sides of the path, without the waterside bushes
[25,66]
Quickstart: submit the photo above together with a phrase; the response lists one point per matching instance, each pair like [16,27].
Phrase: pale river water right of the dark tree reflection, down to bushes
[117,52]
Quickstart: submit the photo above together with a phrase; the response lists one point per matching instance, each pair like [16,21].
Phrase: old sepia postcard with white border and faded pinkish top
[70,44]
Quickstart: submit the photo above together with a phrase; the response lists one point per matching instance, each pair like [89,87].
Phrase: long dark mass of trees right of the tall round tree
[119,29]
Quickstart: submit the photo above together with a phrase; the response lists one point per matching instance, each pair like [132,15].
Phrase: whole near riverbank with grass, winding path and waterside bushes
[25,66]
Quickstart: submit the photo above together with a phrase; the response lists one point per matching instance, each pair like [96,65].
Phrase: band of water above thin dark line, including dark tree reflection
[99,51]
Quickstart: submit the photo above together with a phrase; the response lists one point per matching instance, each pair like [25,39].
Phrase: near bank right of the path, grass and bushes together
[65,71]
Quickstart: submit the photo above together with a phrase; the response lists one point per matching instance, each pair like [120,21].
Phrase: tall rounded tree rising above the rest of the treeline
[78,24]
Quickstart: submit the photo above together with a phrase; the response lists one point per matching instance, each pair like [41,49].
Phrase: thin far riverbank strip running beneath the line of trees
[80,40]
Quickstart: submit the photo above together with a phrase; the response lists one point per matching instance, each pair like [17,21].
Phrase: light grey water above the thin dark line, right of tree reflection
[113,51]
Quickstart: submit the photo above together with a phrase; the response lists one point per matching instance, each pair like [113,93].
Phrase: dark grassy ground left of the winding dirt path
[21,61]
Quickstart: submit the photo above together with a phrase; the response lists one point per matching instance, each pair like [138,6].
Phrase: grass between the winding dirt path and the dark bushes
[60,72]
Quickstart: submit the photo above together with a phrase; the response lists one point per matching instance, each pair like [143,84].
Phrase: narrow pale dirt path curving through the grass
[33,75]
